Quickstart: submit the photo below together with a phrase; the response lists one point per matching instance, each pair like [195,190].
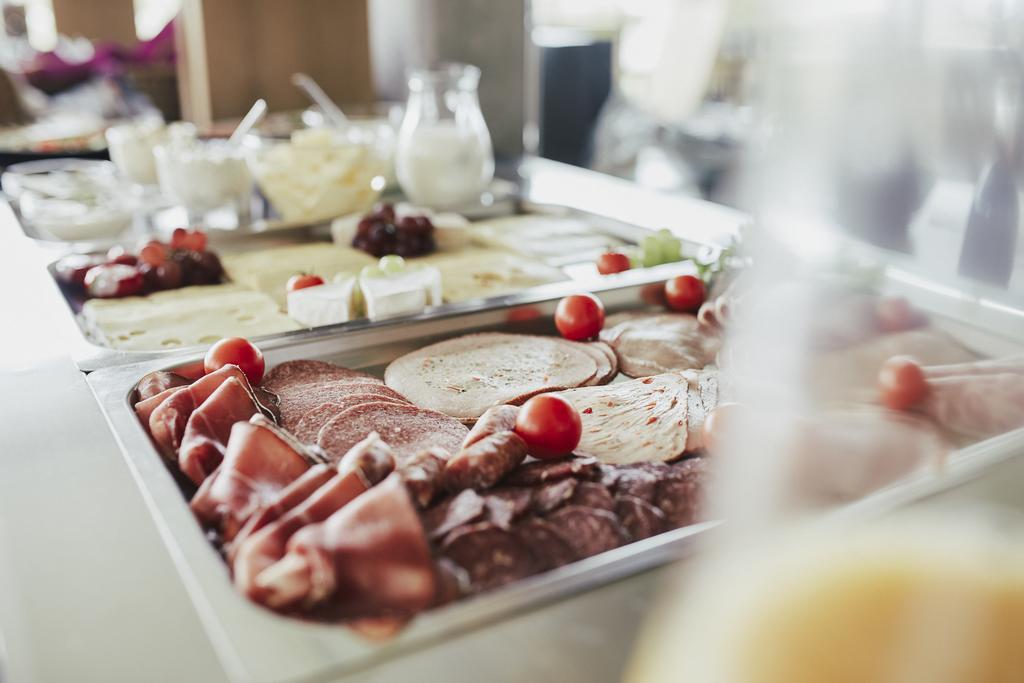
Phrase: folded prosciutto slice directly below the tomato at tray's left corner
[209,428]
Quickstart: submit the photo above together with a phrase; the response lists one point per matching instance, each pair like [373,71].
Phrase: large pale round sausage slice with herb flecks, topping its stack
[465,376]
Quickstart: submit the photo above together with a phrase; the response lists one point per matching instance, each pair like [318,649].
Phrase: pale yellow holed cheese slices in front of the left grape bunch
[184,318]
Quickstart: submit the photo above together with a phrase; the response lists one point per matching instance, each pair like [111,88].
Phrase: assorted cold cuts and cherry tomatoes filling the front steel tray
[481,460]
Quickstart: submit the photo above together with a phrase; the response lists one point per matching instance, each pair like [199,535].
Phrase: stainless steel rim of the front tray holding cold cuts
[259,646]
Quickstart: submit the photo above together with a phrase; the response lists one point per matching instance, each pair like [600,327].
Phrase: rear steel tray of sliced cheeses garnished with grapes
[237,286]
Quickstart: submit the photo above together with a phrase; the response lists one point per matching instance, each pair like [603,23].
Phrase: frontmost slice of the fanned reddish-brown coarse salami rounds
[406,429]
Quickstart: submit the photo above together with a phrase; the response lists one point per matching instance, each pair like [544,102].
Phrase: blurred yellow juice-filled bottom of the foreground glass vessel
[906,604]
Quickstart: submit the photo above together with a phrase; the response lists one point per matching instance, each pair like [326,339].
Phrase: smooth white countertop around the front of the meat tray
[88,589]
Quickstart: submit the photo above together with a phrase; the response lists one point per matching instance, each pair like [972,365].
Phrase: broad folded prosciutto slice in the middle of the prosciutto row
[261,461]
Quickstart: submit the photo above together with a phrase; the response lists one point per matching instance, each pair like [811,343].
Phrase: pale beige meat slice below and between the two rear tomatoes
[652,345]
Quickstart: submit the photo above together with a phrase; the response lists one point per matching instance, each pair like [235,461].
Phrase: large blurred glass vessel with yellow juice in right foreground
[888,133]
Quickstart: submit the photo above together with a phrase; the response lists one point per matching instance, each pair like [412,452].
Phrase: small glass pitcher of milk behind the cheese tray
[444,156]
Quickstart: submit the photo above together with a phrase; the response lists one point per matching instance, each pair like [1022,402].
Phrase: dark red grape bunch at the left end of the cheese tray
[157,267]
